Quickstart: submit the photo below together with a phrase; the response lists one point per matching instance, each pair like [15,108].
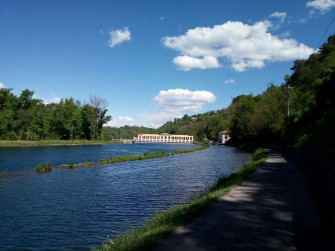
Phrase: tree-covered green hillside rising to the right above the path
[299,113]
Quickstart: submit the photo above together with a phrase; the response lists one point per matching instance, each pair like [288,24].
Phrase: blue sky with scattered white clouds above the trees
[156,60]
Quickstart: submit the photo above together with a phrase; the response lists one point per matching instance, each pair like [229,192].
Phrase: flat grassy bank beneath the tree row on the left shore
[6,143]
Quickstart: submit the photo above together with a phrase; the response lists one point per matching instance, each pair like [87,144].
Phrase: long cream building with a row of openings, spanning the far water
[164,138]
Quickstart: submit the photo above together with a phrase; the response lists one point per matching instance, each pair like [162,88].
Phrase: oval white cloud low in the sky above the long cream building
[183,100]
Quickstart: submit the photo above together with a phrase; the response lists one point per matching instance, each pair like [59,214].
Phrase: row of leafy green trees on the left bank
[26,118]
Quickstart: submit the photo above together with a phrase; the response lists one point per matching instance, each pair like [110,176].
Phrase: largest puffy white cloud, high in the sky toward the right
[244,46]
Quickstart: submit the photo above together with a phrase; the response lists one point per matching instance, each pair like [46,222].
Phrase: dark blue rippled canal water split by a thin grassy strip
[76,209]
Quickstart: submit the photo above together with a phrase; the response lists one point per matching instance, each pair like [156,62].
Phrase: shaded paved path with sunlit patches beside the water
[271,210]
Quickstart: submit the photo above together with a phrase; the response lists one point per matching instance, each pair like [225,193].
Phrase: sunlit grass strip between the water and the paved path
[161,225]
